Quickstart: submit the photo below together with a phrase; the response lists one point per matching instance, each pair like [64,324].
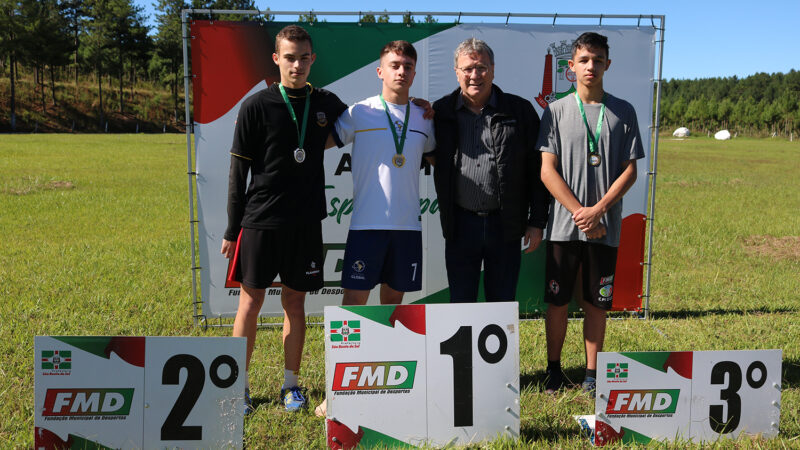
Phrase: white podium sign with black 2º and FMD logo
[138,392]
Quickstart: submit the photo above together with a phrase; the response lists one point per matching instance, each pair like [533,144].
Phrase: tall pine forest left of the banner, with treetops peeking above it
[80,64]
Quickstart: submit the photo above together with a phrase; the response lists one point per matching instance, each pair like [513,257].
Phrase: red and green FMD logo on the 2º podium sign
[88,402]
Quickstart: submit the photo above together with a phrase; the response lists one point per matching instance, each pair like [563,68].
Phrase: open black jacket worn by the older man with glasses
[515,127]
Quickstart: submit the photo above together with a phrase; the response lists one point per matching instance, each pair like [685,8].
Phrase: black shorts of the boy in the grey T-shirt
[596,263]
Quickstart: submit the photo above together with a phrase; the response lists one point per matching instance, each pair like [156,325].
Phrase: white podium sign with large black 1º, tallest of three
[421,374]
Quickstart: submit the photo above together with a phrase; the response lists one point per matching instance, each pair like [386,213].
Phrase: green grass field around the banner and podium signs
[94,241]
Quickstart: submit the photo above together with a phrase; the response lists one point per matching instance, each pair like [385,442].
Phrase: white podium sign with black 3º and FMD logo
[698,396]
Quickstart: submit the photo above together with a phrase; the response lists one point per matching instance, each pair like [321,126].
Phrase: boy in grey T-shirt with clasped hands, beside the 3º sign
[590,143]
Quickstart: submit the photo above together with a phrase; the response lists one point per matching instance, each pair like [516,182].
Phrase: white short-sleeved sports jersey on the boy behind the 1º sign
[385,197]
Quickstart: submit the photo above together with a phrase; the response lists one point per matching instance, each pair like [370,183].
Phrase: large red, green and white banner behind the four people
[233,60]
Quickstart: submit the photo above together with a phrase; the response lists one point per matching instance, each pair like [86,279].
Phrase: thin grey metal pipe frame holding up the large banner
[654,21]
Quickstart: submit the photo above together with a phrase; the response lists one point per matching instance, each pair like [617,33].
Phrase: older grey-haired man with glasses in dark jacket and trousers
[487,179]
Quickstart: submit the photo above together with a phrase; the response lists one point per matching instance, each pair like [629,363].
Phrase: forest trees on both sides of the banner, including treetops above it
[91,61]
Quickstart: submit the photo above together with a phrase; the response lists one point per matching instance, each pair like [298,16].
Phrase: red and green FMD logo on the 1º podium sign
[358,376]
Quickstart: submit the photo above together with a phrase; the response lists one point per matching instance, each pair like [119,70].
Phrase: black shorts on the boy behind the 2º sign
[294,253]
